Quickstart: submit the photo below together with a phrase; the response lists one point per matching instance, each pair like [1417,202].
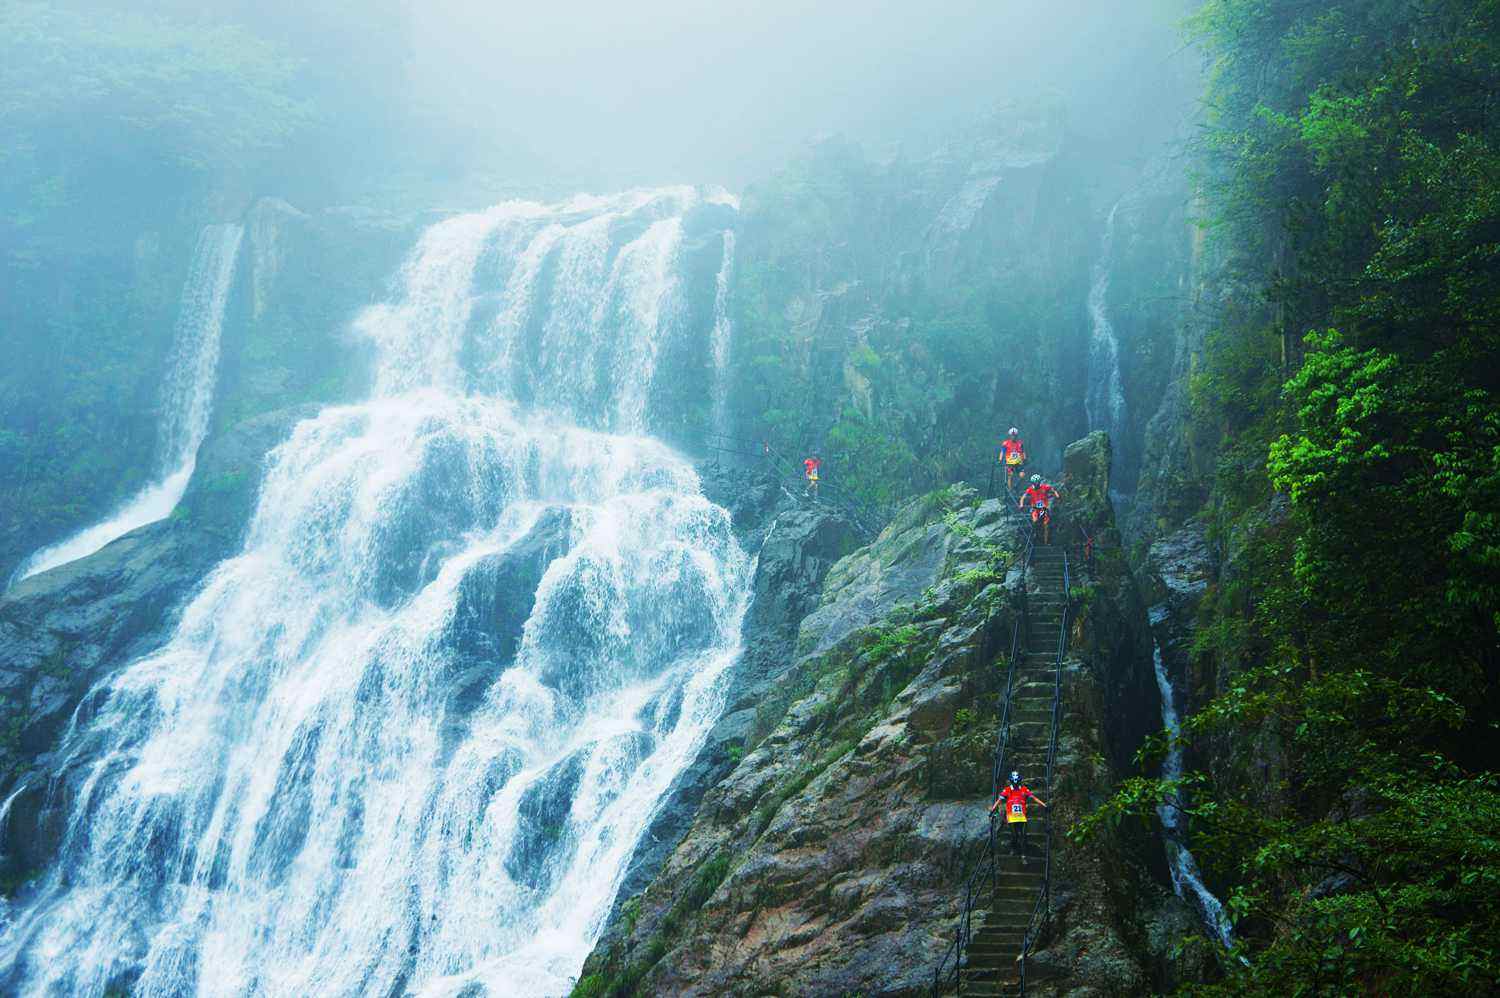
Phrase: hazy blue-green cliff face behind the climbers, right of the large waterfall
[902,314]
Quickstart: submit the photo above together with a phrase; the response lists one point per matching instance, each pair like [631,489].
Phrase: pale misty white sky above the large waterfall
[671,91]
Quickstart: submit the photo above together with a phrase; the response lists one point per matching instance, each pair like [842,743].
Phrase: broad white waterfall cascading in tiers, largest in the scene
[407,741]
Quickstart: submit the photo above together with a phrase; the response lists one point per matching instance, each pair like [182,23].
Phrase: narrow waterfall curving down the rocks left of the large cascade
[187,401]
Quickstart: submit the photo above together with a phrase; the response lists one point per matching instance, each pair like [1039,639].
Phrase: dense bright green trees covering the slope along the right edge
[1351,817]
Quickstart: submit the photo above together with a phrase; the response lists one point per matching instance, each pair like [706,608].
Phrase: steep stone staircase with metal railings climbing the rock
[991,967]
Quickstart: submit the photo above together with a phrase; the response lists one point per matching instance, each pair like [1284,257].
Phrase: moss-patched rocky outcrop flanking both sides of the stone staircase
[829,858]
